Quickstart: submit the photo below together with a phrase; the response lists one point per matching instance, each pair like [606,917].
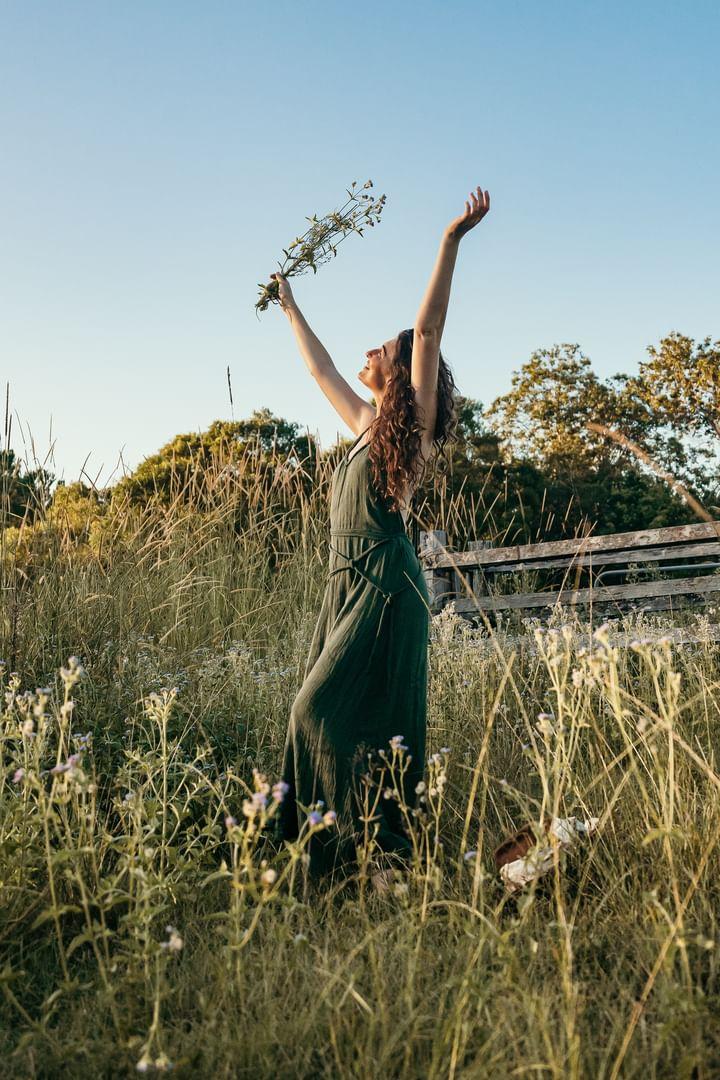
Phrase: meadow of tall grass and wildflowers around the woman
[151,922]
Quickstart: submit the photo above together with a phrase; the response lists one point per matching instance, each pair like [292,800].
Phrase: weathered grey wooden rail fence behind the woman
[684,561]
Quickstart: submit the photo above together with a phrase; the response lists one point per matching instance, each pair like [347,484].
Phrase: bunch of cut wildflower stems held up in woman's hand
[321,241]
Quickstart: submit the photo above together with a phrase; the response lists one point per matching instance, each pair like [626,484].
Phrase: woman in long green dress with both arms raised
[366,678]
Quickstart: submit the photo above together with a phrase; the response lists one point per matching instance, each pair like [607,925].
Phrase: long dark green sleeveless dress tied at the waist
[365,680]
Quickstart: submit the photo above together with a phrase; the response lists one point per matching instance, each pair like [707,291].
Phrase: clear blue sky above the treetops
[157,158]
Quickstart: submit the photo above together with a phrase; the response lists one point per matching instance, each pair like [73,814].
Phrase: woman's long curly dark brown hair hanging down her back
[397,434]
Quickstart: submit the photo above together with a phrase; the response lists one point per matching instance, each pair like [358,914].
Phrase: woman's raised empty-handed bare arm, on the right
[430,320]
